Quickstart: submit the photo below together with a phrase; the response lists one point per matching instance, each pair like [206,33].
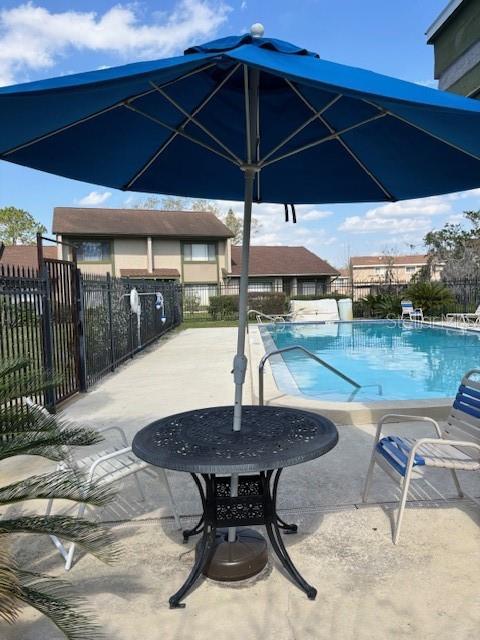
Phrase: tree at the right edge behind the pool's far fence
[457,246]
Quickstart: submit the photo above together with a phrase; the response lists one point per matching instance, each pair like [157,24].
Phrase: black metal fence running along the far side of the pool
[220,302]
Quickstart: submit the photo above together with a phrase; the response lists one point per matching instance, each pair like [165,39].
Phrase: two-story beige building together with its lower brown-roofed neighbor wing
[192,248]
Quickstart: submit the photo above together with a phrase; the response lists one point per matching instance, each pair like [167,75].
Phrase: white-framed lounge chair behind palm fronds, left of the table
[106,467]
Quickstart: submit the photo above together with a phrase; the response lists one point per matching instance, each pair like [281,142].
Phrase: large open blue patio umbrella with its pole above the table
[299,129]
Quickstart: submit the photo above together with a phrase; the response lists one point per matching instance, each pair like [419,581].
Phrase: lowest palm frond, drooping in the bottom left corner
[55,599]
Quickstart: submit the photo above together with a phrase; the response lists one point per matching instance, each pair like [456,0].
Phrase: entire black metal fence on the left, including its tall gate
[76,328]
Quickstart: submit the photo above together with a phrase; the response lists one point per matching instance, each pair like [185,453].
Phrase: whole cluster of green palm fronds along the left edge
[26,430]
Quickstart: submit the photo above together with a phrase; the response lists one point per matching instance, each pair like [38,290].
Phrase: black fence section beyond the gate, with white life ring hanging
[112,331]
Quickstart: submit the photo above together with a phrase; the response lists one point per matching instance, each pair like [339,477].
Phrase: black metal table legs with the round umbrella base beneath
[255,504]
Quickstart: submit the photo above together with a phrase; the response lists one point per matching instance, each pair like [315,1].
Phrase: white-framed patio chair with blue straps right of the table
[405,459]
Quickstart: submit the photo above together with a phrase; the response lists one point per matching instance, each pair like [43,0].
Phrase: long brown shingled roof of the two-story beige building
[137,222]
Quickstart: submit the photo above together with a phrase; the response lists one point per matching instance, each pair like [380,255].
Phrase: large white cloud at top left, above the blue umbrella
[32,38]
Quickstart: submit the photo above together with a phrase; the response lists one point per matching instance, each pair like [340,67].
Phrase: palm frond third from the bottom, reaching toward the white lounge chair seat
[68,485]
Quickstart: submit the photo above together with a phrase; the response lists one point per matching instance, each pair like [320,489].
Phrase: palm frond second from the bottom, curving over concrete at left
[92,537]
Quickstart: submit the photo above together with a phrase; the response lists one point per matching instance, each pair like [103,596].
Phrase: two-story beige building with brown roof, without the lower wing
[190,247]
